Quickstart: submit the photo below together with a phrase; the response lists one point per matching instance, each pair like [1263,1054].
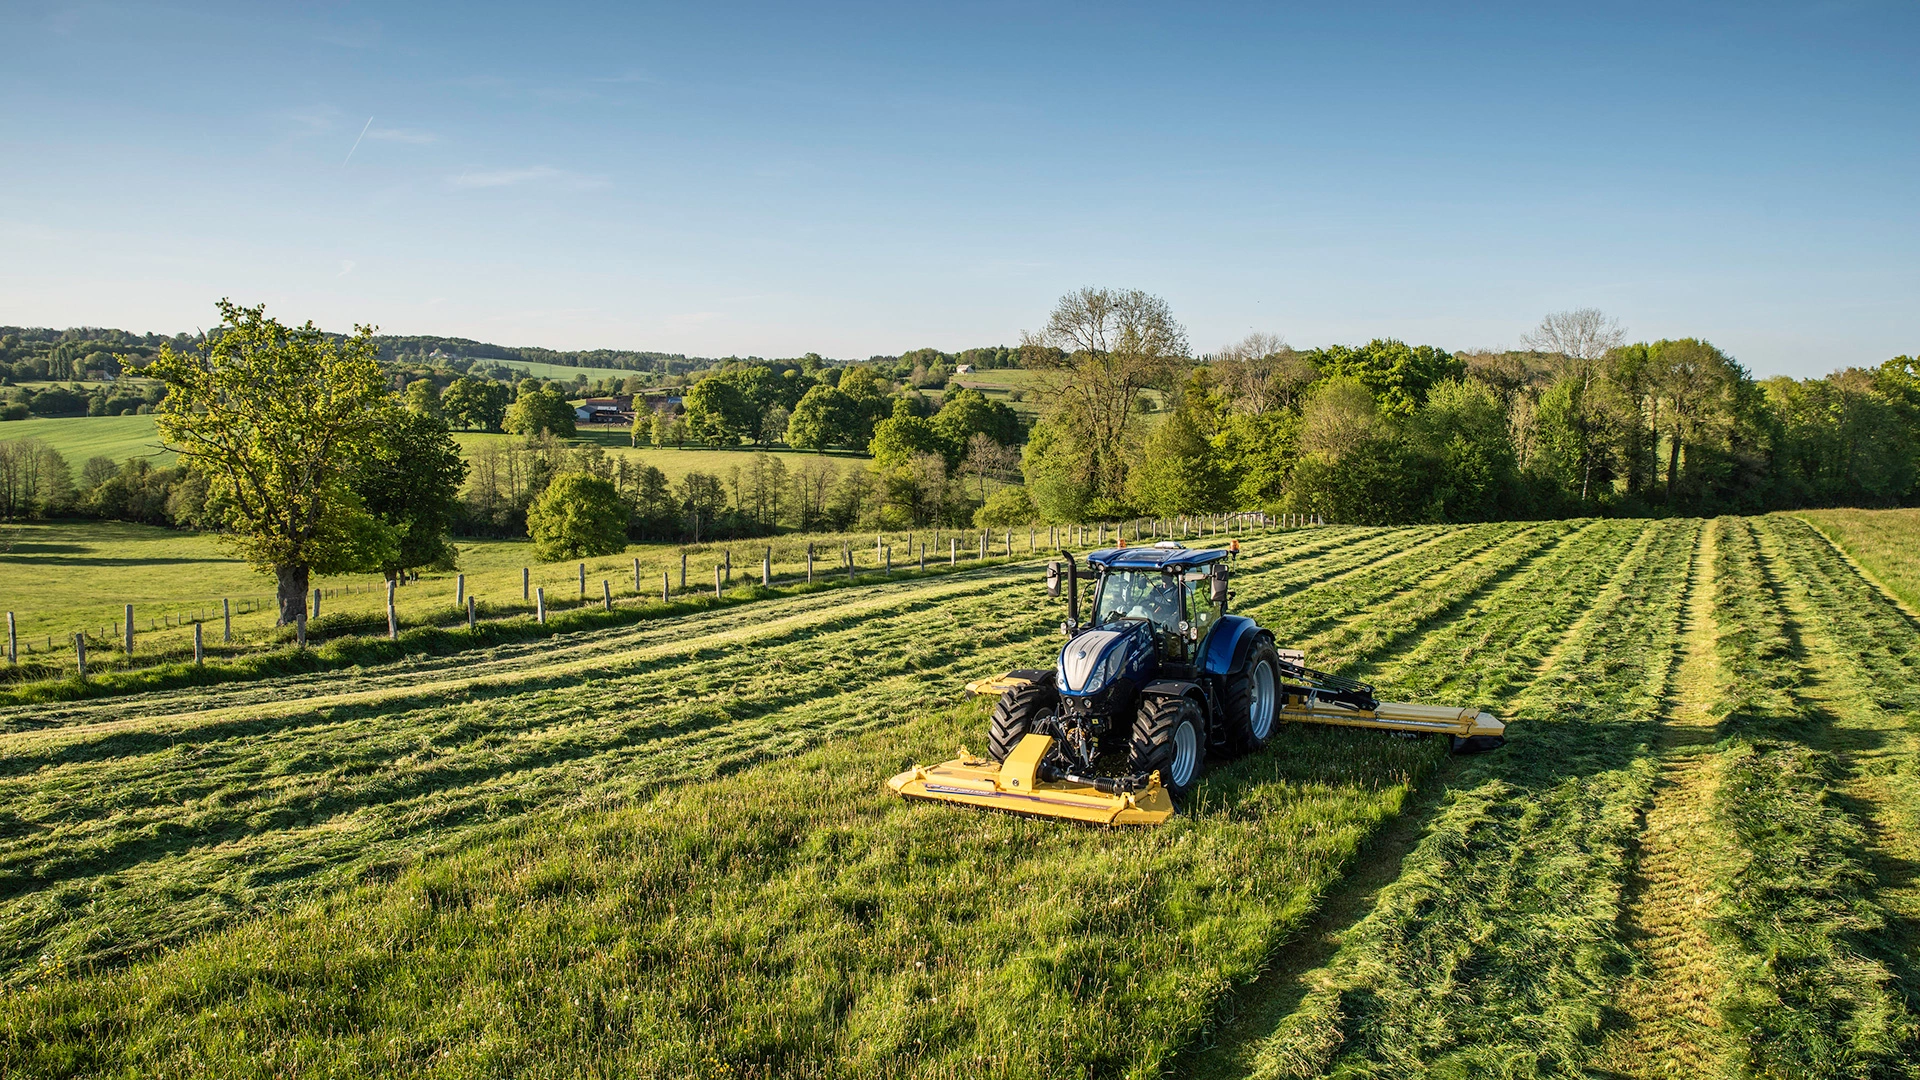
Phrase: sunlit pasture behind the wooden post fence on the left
[62,579]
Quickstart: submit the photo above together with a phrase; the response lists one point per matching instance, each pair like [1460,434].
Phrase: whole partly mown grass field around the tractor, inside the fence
[665,850]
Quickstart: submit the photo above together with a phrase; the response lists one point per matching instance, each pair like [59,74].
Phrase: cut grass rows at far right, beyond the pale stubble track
[1813,960]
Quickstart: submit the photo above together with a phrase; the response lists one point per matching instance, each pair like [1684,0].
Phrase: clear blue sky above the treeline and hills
[861,180]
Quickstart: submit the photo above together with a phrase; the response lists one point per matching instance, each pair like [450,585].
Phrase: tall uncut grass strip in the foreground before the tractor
[769,920]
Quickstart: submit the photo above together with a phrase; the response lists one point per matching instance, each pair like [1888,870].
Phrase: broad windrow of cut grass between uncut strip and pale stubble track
[1499,948]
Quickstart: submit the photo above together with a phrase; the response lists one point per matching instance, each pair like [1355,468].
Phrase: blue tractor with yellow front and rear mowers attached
[1163,677]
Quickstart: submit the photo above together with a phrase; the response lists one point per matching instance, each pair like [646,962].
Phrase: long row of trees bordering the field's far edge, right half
[1393,433]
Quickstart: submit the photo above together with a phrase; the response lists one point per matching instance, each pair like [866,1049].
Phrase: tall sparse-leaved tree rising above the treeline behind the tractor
[1105,349]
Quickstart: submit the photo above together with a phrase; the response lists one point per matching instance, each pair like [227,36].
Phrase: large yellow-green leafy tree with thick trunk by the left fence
[281,422]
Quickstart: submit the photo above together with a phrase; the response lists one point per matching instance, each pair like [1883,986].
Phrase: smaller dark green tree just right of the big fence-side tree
[412,483]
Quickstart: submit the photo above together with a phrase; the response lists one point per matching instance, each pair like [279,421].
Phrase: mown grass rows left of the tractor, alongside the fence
[272,795]
